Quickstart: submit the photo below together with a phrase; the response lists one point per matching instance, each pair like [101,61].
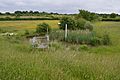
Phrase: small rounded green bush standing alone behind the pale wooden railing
[43,28]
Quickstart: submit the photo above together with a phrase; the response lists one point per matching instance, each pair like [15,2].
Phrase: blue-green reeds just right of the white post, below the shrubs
[79,37]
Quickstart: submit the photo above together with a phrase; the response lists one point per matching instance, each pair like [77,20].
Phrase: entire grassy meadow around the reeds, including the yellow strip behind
[19,61]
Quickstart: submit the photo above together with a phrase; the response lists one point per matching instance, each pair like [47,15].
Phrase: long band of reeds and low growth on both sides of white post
[81,37]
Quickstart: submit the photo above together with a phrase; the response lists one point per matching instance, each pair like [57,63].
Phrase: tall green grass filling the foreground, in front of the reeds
[21,62]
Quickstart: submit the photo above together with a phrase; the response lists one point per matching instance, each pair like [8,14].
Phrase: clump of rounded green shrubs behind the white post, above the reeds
[75,24]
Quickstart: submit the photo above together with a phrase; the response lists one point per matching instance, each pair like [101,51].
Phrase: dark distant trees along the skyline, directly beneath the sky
[86,15]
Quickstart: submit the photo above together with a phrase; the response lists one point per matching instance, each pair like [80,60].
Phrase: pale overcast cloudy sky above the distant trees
[61,6]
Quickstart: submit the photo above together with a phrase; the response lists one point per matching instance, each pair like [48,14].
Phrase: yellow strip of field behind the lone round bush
[28,24]
